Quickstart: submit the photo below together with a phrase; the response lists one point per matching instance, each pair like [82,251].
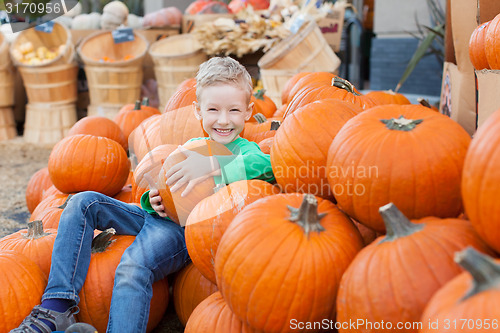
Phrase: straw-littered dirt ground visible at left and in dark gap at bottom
[18,162]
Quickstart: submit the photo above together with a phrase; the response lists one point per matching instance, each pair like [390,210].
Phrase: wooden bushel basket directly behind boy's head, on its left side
[176,58]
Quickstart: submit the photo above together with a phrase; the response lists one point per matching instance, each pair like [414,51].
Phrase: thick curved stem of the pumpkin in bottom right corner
[484,270]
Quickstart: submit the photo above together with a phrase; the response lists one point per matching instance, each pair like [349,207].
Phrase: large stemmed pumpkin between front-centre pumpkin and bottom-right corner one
[393,278]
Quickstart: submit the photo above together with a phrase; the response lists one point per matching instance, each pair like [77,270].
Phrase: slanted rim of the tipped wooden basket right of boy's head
[279,51]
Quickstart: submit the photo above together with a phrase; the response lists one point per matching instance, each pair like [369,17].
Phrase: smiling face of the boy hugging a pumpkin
[223,109]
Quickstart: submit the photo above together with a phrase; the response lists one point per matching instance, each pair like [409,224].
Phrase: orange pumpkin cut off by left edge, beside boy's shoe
[22,284]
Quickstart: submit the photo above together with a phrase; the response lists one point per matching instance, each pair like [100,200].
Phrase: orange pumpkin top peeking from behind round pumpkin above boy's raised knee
[99,126]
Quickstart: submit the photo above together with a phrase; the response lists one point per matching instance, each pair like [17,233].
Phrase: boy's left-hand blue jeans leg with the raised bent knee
[85,212]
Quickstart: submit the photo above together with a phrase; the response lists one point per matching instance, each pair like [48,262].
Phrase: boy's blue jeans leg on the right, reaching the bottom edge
[158,250]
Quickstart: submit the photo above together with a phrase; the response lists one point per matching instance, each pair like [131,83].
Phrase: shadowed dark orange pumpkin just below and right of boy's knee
[190,289]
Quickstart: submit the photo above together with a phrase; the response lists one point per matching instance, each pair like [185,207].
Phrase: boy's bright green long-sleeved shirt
[247,162]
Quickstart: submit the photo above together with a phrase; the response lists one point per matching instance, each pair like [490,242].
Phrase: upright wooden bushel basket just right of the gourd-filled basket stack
[113,83]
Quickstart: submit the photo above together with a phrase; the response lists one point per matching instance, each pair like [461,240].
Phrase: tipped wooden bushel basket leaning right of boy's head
[305,51]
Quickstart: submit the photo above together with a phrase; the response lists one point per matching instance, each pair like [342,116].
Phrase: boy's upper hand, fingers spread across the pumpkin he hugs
[193,170]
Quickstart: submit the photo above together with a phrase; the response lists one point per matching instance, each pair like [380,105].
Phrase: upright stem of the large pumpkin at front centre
[307,215]
